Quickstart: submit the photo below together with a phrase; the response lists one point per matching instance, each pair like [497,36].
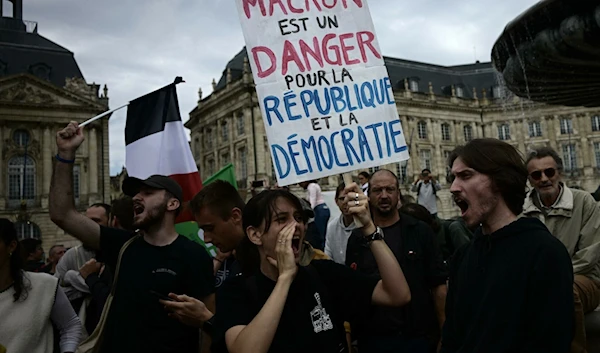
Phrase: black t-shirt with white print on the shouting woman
[319,301]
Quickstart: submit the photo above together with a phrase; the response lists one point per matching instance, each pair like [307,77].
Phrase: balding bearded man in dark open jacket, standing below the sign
[415,327]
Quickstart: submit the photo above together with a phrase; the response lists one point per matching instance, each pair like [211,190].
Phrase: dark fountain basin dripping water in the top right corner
[551,53]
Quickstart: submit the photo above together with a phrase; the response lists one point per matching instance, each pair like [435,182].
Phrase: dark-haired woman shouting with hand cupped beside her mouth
[279,306]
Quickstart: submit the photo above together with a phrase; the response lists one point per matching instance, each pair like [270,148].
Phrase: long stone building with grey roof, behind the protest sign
[439,107]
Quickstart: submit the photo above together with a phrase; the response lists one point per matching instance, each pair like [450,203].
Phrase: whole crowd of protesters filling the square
[516,272]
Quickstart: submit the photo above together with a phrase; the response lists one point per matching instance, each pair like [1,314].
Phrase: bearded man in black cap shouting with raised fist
[155,262]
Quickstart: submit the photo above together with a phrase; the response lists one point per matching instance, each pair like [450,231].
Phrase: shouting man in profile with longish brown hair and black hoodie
[511,287]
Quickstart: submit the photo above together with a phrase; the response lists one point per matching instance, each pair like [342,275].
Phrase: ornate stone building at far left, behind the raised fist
[41,91]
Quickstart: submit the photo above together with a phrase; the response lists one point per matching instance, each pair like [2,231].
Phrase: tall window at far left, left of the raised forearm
[21,178]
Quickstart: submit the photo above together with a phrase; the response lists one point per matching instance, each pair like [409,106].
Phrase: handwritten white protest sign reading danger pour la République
[324,92]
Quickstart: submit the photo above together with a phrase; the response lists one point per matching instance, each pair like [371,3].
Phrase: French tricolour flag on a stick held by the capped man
[156,143]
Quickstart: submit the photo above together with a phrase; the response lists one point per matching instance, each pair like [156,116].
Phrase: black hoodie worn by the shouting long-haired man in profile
[510,291]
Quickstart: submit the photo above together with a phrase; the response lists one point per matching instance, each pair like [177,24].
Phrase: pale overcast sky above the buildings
[137,46]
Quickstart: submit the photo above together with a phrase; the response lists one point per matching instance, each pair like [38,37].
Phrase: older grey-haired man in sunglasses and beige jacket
[572,216]
